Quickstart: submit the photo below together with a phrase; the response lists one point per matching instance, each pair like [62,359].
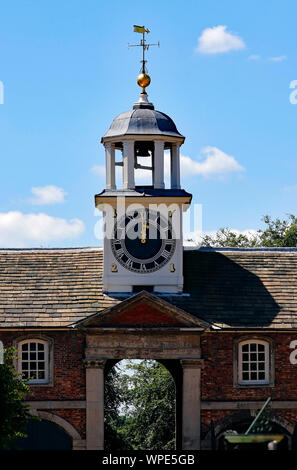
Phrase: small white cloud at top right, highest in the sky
[217,40]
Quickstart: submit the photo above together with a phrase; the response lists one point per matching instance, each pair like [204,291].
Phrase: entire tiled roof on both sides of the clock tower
[238,288]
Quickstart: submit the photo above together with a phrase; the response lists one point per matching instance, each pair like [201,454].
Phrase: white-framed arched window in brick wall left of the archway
[33,361]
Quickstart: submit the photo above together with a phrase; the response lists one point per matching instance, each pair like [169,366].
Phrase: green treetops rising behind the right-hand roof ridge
[277,233]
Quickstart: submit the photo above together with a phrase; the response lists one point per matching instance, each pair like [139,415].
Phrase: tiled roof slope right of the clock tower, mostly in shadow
[242,288]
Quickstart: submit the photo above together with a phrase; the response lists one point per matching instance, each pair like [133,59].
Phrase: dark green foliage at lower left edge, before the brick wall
[14,414]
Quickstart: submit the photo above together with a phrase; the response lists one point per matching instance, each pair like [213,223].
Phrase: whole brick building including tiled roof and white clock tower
[223,321]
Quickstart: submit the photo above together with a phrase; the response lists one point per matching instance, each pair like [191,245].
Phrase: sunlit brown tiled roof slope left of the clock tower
[50,287]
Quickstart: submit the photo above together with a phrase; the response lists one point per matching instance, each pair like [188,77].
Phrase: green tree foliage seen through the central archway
[145,407]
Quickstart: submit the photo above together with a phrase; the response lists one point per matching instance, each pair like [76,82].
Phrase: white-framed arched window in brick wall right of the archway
[253,362]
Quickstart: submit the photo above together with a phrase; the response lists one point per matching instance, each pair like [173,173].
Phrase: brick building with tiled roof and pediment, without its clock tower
[234,297]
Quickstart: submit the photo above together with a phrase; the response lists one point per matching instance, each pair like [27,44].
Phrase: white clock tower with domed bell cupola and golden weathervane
[143,242]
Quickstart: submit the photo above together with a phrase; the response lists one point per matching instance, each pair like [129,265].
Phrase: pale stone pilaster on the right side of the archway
[191,403]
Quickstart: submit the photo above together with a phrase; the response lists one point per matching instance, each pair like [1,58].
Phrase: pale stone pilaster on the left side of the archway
[95,404]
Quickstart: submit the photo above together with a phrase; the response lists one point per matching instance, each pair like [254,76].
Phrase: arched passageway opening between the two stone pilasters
[157,402]
